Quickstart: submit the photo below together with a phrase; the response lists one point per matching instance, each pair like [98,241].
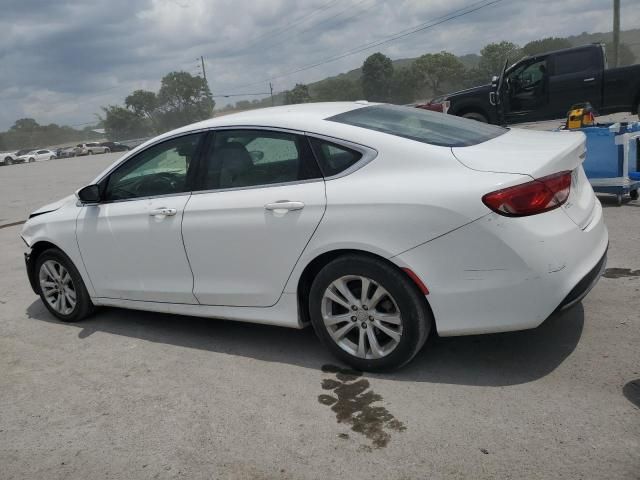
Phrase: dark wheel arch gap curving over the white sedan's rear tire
[314,266]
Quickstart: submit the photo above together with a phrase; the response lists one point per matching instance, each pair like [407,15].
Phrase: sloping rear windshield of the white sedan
[420,125]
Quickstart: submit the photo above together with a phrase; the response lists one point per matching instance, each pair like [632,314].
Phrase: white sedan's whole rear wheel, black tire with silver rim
[403,300]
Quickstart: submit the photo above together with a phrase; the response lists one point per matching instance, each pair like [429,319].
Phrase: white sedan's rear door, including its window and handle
[262,198]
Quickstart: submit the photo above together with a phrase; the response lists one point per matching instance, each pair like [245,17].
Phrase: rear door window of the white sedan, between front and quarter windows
[247,158]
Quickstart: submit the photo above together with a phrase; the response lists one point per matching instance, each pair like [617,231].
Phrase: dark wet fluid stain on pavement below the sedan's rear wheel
[352,403]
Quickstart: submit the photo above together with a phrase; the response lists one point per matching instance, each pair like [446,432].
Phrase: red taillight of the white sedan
[531,198]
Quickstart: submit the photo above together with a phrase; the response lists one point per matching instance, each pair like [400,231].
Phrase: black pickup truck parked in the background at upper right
[545,86]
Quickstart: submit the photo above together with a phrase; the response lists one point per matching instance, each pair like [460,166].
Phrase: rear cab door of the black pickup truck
[576,77]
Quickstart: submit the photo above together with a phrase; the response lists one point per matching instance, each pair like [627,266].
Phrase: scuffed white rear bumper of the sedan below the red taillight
[502,274]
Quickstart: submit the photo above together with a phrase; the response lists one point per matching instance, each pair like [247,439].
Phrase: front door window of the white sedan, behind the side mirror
[161,169]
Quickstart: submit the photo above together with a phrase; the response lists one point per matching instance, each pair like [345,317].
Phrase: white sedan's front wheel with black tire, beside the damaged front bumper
[44,276]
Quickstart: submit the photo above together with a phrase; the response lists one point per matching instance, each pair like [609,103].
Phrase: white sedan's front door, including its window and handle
[131,242]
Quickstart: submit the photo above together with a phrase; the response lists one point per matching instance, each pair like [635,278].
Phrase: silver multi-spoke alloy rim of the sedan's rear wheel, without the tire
[361,317]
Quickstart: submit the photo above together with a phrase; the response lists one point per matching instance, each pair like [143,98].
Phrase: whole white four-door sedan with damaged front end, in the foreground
[375,223]
